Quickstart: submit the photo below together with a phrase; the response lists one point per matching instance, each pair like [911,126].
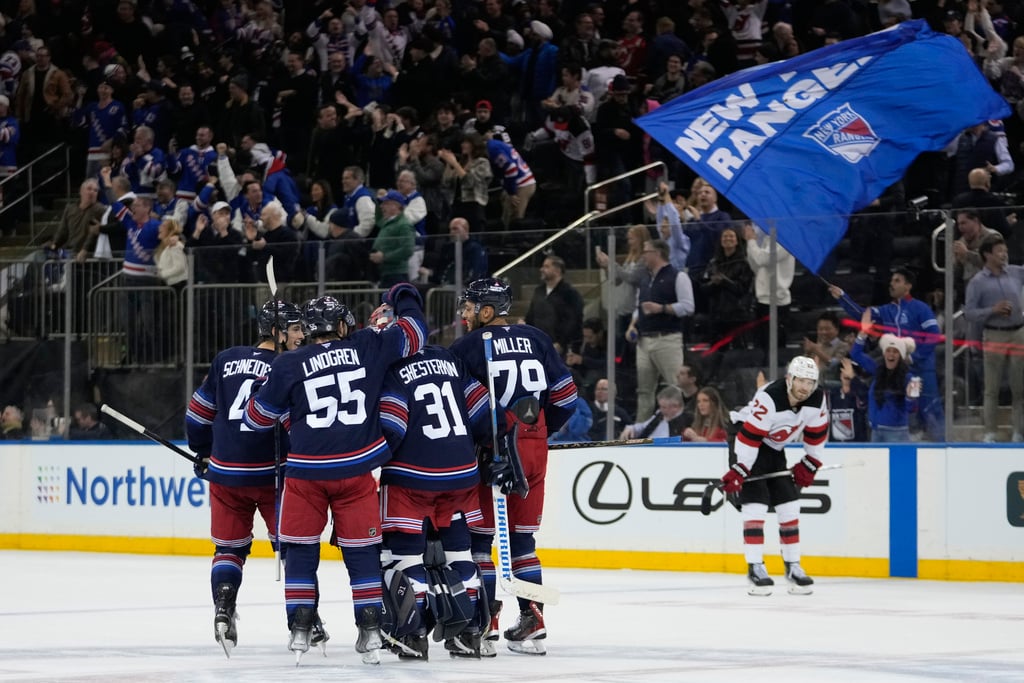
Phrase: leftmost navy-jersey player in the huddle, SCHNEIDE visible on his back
[238,462]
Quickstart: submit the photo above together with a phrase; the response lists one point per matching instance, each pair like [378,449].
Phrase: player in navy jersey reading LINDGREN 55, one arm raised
[328,392]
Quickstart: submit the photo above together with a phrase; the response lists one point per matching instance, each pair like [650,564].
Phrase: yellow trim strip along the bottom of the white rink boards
[592,560]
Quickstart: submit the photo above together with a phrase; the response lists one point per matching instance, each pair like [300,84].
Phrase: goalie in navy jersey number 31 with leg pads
[431,410]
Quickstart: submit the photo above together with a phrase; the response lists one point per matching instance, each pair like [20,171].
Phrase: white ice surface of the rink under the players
[83,617]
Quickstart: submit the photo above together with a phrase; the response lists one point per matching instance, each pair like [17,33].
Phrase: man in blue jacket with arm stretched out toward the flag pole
[908,317]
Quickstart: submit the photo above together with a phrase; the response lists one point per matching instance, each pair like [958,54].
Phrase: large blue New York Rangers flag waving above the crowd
[802,144]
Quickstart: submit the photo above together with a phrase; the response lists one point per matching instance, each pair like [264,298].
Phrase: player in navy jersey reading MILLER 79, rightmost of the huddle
[528,371]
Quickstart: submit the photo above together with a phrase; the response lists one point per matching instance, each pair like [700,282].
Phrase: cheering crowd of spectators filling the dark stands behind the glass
[380,134]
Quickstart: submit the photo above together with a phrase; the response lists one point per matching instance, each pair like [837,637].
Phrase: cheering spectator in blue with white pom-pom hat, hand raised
[894,390]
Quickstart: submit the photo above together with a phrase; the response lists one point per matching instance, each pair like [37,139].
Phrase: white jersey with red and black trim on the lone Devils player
[769,420]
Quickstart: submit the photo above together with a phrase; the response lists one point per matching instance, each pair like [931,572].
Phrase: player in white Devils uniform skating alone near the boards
[785,412]
